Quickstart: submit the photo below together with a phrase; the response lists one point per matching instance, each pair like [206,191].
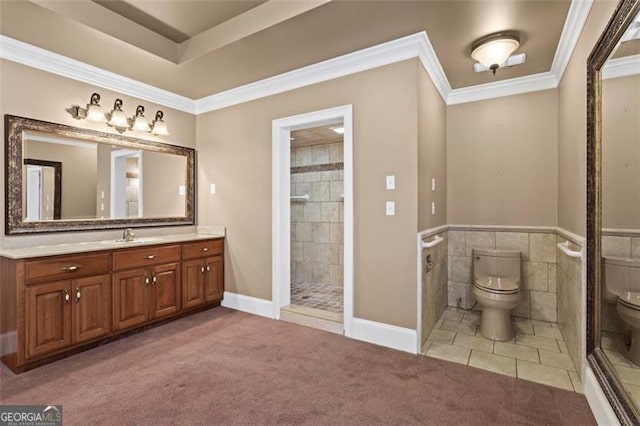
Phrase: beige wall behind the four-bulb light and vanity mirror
[32,93]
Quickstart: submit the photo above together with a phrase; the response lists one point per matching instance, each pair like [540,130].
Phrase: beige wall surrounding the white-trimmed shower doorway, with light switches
[234,149]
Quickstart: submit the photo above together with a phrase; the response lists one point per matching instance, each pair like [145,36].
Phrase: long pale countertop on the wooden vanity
[58,249]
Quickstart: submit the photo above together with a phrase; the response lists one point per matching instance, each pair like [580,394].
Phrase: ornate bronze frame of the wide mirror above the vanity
[15,225]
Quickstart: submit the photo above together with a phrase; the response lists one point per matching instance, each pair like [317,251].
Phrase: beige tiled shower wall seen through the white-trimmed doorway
[317,225]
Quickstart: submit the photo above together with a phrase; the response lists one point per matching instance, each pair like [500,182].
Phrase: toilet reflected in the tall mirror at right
[621,279]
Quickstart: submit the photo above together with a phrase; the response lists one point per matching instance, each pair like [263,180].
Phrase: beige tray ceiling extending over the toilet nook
[203,47]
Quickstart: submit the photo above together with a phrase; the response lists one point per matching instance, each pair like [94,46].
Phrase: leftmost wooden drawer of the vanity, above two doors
[67,267]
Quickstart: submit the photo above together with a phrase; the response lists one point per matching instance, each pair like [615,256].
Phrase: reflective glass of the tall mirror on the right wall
[620,254]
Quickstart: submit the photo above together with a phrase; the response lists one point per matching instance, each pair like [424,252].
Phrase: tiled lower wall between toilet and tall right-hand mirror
[570,302]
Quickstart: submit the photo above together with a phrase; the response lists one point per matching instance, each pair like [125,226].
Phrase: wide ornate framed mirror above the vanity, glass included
[64,178]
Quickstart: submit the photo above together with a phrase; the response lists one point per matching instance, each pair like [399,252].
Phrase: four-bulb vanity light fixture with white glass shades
[117,117]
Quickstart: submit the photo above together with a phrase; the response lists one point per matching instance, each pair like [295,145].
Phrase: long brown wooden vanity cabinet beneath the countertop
[58,305]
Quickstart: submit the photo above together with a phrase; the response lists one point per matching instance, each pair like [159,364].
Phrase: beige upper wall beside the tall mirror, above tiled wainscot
[572,123]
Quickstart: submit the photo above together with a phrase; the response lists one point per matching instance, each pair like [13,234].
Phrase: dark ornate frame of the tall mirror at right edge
[602,369]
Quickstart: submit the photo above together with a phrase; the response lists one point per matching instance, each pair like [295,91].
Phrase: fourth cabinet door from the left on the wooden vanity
[165,290]
